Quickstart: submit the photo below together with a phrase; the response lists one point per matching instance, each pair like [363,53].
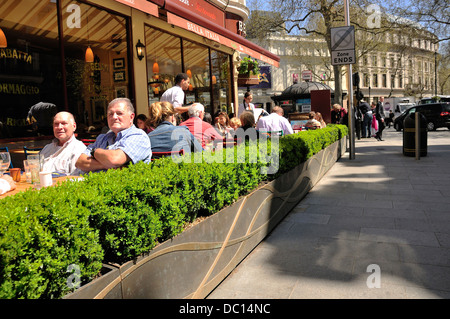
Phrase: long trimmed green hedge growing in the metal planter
[117,215]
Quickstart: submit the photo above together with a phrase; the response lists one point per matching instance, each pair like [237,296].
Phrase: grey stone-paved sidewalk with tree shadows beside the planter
[380,220]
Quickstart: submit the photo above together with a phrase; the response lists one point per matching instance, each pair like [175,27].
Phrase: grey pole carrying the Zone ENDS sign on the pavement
[343,53]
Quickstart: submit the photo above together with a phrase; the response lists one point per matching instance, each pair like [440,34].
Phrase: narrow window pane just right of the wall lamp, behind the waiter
[163,61]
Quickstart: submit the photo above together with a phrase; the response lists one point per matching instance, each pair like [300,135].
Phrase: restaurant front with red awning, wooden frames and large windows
[76,56]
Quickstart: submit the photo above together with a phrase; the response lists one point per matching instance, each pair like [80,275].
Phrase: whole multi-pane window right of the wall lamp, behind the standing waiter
[209,70]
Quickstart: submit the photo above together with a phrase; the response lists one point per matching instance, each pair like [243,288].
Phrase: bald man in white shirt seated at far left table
[62,153]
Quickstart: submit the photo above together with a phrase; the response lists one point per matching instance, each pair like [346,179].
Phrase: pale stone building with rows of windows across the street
[403,65]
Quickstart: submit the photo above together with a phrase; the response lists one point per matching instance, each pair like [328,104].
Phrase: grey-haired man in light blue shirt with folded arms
[124,142]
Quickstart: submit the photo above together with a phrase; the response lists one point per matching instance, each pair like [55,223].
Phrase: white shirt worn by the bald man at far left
[62,159]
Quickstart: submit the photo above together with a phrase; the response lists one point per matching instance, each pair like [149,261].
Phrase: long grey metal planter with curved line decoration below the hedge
[193,263]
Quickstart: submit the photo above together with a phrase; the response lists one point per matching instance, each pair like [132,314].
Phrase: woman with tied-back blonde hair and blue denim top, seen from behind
[166,136]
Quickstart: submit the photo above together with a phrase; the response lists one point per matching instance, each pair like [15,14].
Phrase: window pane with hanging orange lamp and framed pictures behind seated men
[92,85]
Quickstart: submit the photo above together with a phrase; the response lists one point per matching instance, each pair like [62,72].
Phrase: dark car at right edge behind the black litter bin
[437,115]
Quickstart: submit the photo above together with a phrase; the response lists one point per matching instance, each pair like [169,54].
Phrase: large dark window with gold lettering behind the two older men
[36,83]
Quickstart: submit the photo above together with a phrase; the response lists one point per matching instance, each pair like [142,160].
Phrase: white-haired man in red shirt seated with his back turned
[202,131]
